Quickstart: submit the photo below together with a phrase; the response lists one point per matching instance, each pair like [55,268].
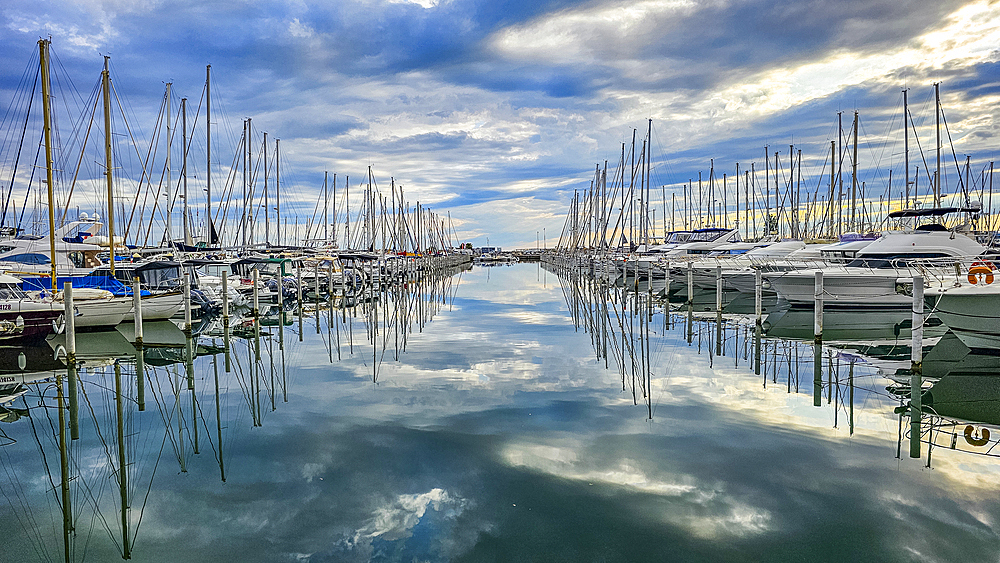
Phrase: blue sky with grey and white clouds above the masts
[498,110]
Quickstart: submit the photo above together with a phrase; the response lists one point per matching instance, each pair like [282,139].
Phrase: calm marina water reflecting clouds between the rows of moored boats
[499,434]
